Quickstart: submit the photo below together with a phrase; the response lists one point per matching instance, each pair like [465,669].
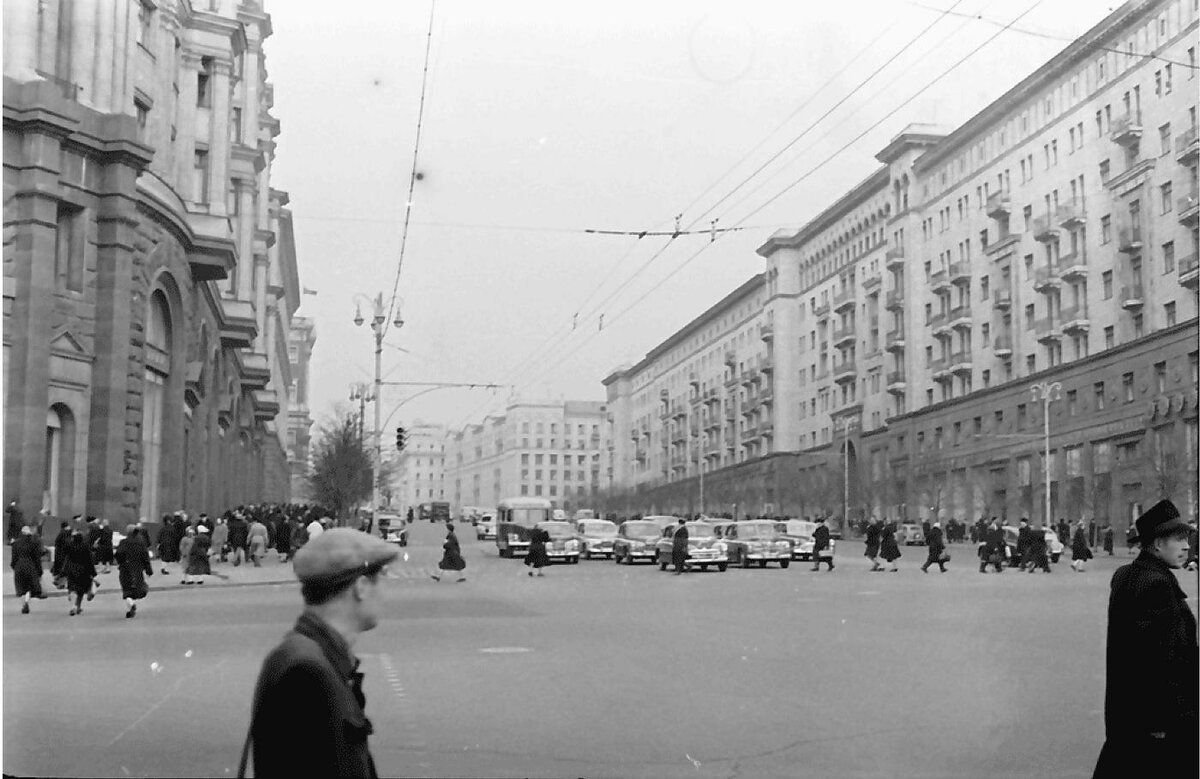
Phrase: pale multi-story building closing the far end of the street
[549,451]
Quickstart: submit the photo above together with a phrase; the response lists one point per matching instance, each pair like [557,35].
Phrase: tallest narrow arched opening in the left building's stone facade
[158,373]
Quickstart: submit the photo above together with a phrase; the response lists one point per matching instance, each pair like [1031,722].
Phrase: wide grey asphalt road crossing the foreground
[599,670]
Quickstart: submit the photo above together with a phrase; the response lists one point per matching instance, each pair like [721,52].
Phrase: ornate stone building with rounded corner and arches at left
[149,277]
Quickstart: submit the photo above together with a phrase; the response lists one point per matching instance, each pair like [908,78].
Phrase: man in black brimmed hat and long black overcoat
[1151,696]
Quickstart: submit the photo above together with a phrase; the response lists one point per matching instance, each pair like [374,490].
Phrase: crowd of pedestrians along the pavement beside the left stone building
[88,547]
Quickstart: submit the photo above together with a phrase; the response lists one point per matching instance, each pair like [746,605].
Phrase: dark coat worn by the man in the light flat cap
[309,715]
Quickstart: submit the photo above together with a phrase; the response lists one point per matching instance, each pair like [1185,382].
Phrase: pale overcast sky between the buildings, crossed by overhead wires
[544,121]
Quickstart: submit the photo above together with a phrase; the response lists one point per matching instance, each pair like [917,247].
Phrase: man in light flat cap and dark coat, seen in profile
[309,717]
